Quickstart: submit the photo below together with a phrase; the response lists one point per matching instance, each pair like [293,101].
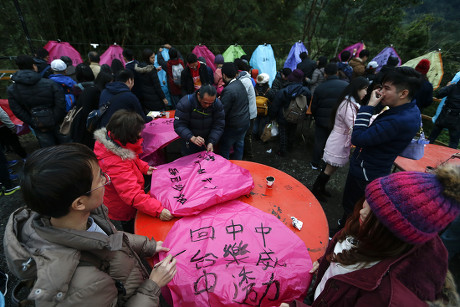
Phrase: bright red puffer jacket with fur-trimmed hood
[125,195]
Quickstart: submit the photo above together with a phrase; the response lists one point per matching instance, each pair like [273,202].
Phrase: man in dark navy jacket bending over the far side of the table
[199,120]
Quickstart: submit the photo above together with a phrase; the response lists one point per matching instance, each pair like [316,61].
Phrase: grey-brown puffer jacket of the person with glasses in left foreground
[79,268]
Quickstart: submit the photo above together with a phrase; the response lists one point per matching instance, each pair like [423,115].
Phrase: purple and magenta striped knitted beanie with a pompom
[416,206]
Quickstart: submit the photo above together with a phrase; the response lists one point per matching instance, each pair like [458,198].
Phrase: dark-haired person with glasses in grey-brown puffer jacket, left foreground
[64,241]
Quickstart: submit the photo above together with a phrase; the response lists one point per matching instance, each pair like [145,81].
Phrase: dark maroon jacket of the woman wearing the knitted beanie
[408,280]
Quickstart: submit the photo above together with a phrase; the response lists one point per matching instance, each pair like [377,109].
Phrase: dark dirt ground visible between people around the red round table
[296,164]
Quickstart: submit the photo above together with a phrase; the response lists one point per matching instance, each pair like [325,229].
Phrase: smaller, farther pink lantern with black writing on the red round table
[195,182]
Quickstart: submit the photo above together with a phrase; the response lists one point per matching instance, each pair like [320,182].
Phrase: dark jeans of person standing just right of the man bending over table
[233,137]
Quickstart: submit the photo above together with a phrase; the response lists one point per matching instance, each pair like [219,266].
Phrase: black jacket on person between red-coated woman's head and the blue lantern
[152,94]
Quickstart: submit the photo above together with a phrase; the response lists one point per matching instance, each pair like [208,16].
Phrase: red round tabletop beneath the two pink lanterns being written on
[288,197]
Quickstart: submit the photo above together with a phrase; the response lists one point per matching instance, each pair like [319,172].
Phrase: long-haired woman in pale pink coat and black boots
[337,149]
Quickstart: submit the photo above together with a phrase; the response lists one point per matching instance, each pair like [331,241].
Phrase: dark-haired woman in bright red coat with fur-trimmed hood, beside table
[117,149]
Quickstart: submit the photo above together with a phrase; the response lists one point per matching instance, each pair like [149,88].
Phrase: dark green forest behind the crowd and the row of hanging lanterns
[413,27]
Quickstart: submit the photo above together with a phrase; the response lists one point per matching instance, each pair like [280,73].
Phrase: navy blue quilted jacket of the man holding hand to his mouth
[378,145]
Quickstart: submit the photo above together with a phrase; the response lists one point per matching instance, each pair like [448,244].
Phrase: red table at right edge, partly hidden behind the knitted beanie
[433,156]
